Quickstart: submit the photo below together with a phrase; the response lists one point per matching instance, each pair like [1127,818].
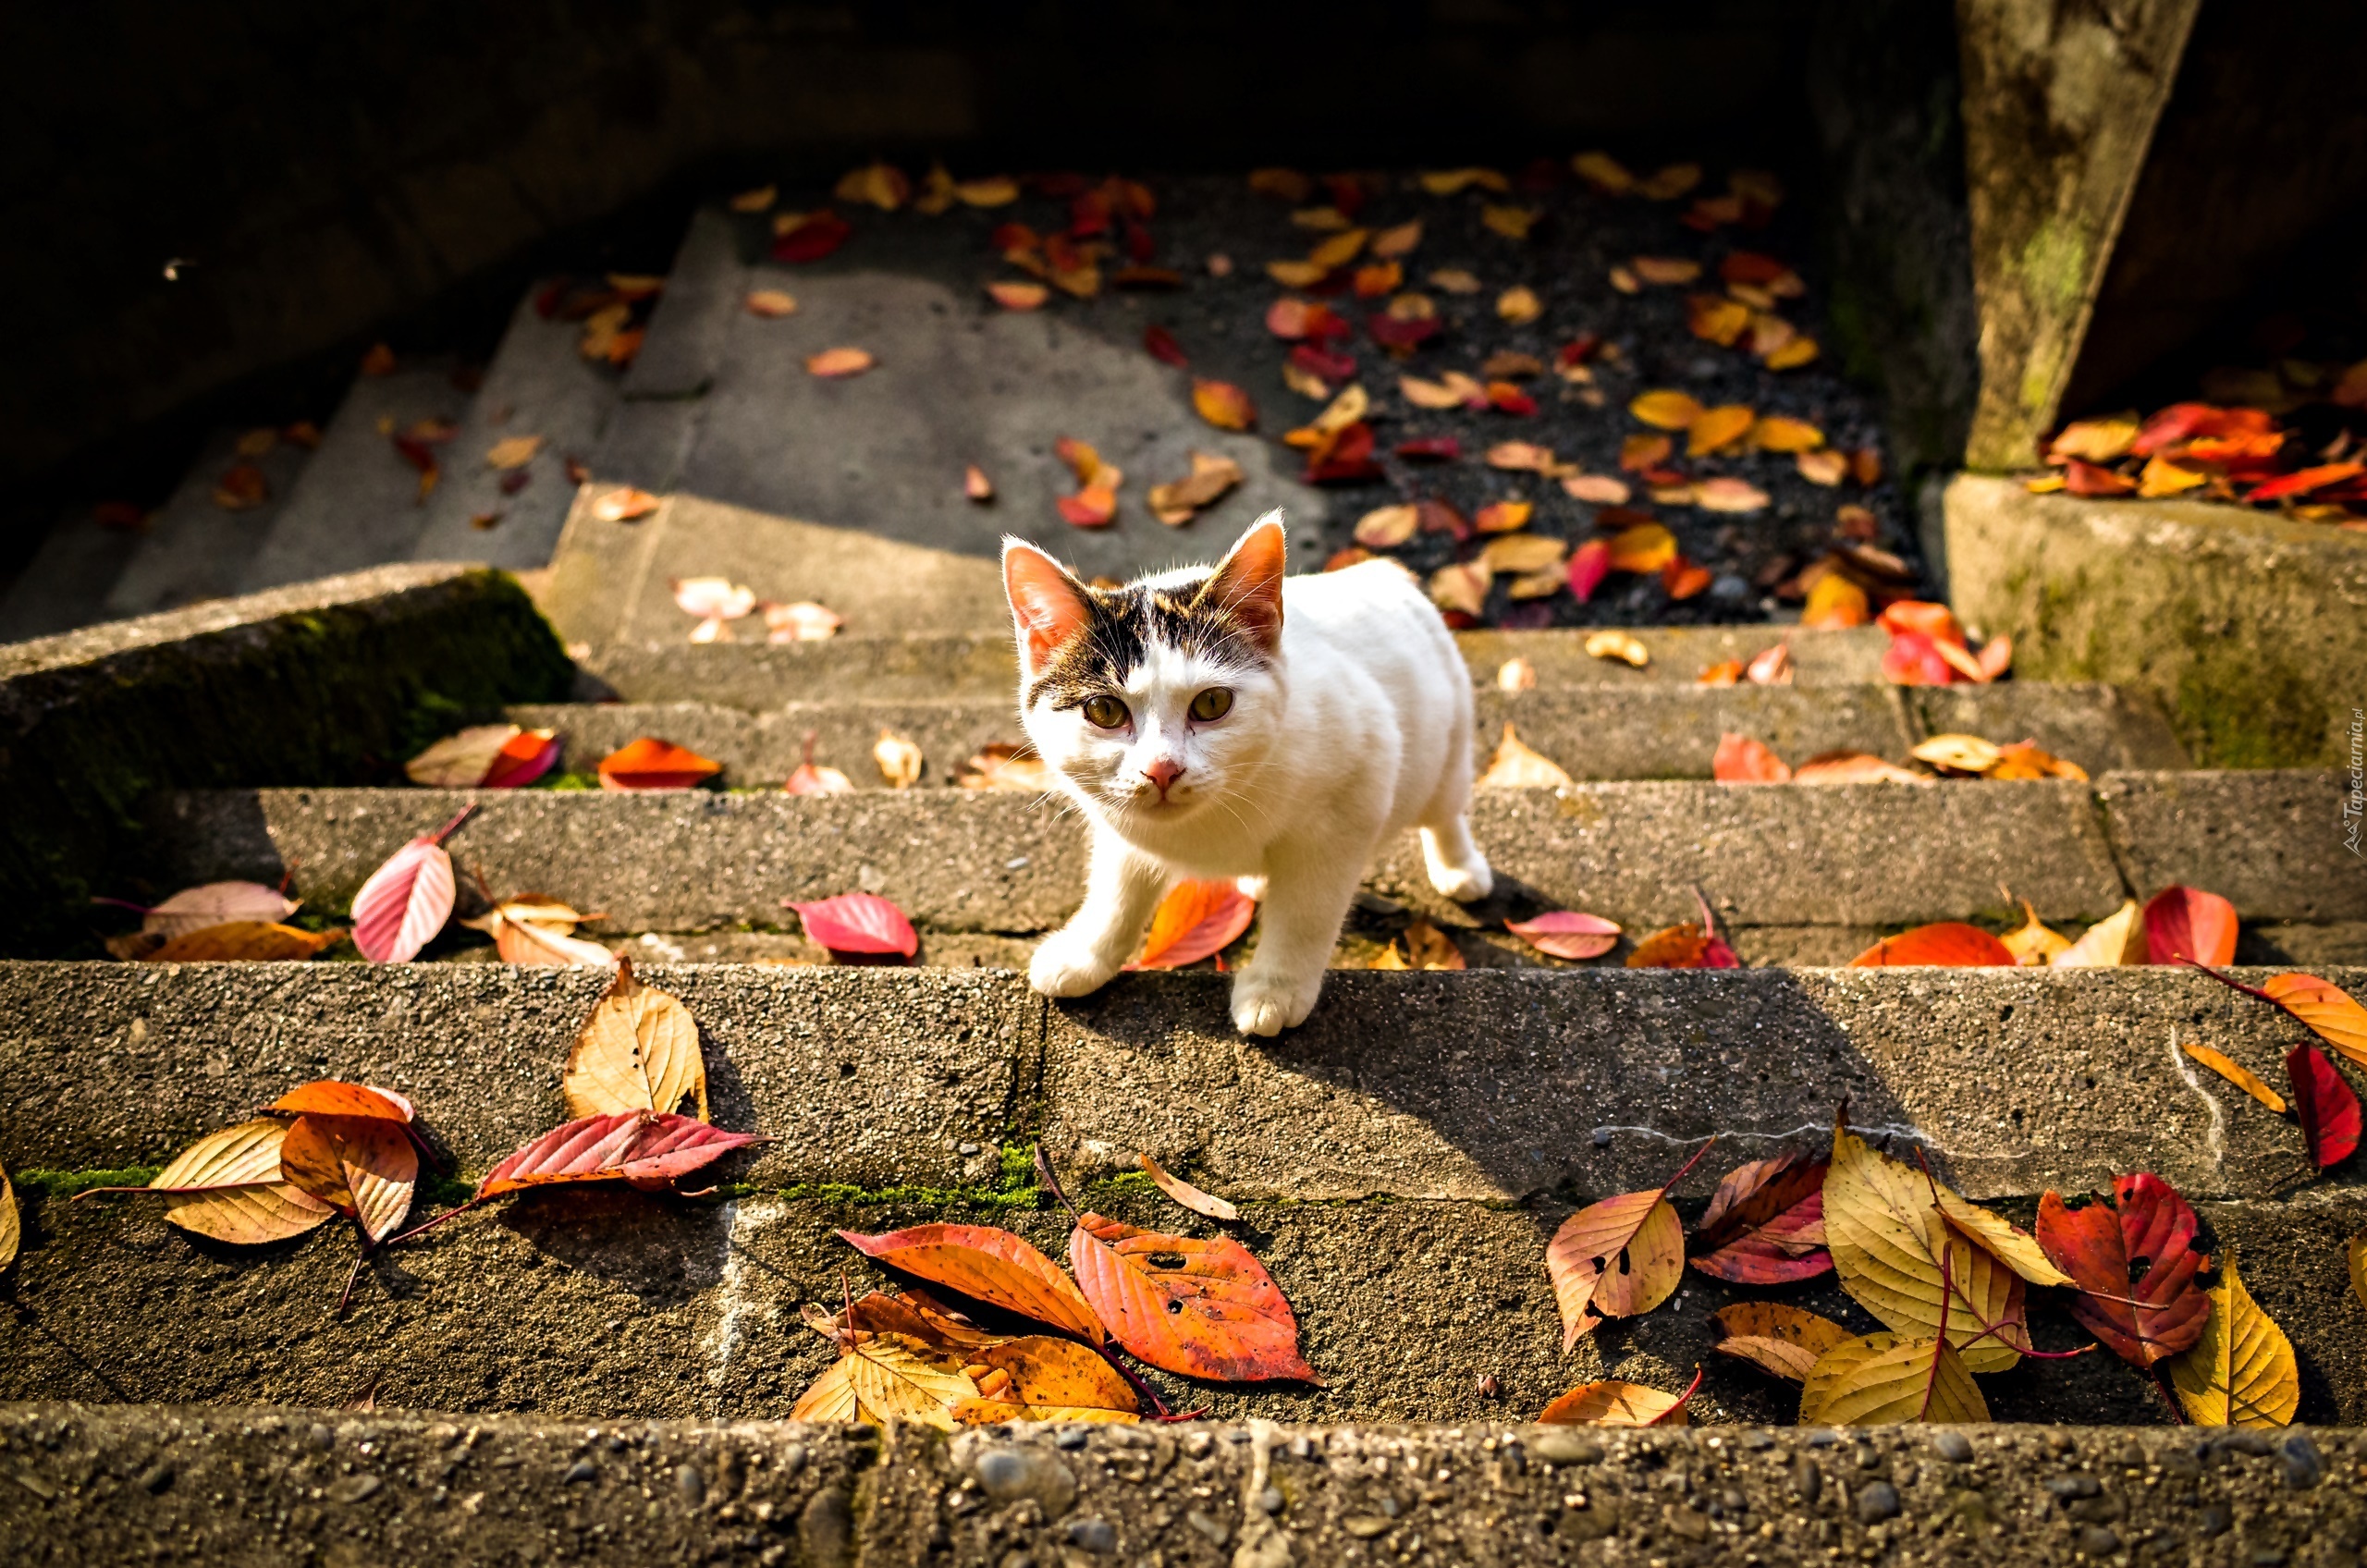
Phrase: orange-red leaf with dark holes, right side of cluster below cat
[1189,1306]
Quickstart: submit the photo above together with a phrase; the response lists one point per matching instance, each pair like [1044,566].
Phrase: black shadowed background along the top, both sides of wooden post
[333,176]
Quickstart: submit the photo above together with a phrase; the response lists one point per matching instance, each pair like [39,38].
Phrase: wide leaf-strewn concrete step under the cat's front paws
[1452,1119]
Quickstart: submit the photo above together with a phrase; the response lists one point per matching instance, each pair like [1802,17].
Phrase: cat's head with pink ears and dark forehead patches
[1159,702]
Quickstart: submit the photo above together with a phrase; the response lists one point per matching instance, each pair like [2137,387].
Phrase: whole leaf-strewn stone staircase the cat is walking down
[605,1370]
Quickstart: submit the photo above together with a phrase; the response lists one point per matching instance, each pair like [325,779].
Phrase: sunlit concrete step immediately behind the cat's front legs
[1795,873]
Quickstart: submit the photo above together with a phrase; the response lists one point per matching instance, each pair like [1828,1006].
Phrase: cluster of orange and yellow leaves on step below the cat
[1197,1306]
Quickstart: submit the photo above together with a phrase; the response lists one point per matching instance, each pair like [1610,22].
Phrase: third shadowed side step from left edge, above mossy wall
[359,501]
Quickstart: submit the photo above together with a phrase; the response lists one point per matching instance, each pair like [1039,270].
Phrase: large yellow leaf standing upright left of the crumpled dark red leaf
[1888,1247]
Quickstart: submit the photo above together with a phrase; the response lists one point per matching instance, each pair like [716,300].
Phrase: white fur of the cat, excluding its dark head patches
[1360,731]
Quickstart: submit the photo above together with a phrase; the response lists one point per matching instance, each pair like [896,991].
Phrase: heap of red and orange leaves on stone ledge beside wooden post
[2205,451]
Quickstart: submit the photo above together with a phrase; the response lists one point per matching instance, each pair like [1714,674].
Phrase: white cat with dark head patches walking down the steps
[1237,724]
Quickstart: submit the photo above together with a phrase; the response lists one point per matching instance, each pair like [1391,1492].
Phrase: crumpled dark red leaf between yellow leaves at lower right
[2139,1249]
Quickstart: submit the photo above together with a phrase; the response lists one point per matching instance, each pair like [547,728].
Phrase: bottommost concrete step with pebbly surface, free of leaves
[127,1484]
